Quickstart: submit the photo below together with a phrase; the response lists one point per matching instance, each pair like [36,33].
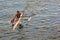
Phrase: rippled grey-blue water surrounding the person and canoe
[44,24]
